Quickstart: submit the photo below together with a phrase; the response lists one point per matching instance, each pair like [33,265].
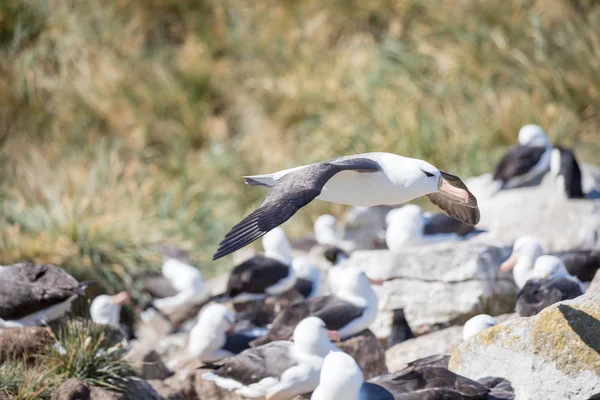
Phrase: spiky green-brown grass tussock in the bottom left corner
[85,357]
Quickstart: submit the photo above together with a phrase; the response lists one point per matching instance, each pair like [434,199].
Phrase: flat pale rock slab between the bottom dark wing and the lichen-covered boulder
[439,342]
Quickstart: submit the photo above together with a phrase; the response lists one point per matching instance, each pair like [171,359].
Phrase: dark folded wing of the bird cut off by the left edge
[26,288]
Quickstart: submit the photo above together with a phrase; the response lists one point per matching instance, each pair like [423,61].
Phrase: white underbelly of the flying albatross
[363,189]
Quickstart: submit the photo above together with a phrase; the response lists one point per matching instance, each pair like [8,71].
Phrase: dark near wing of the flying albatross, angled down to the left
[289,194]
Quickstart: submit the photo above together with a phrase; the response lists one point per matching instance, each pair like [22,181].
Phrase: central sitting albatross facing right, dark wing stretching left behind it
[349,311]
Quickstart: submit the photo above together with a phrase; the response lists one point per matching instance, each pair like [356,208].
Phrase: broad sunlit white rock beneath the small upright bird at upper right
[510,214]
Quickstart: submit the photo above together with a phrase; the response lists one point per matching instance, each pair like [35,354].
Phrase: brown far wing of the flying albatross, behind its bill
[464,211]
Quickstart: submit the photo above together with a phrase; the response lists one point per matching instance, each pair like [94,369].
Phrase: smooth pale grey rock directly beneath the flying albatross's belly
[362,228]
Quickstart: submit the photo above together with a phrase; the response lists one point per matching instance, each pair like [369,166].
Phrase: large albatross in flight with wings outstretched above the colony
[367,179]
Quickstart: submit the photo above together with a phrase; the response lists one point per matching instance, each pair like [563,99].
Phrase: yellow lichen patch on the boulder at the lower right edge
[568,334]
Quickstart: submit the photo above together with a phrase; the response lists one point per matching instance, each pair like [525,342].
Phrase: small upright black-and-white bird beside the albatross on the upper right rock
[567,174]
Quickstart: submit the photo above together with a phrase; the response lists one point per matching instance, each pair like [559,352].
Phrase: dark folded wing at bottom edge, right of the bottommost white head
[429,383]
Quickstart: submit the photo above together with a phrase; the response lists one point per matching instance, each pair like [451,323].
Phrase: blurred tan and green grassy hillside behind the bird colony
[126,124]
